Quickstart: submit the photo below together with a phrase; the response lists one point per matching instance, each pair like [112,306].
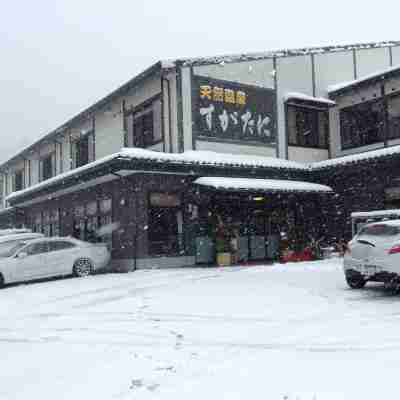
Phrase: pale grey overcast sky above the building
[60,56]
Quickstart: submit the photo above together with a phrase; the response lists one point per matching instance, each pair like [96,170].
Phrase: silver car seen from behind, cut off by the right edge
[374,255]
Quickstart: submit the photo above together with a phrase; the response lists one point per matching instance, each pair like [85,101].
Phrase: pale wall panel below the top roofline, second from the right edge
[372,60]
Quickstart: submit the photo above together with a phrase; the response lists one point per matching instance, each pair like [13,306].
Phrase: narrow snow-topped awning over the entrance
[261,185]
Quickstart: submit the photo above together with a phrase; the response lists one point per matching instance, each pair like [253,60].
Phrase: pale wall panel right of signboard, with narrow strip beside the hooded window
[294,74]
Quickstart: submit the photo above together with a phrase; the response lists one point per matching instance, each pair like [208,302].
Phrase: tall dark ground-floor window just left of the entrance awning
[165,224]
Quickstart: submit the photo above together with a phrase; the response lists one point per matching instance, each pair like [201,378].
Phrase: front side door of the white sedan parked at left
[30,262]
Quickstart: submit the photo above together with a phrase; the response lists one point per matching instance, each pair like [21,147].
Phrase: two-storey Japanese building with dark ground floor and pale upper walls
[327,116]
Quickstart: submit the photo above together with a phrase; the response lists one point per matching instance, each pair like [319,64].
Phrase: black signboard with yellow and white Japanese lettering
[230,111]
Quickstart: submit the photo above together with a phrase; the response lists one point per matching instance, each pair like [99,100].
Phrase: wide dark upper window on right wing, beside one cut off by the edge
[362,124]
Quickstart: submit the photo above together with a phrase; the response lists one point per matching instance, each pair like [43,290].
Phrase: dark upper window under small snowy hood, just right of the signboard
[307,126]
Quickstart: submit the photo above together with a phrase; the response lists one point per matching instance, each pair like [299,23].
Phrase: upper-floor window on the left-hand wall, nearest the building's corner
[143,125]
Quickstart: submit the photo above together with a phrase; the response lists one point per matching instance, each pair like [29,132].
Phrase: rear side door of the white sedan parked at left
[62,255]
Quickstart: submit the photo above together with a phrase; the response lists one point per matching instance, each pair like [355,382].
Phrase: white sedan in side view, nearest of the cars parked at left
[49,257]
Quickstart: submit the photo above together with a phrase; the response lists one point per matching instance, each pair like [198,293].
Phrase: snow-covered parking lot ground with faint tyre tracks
[290,331]
